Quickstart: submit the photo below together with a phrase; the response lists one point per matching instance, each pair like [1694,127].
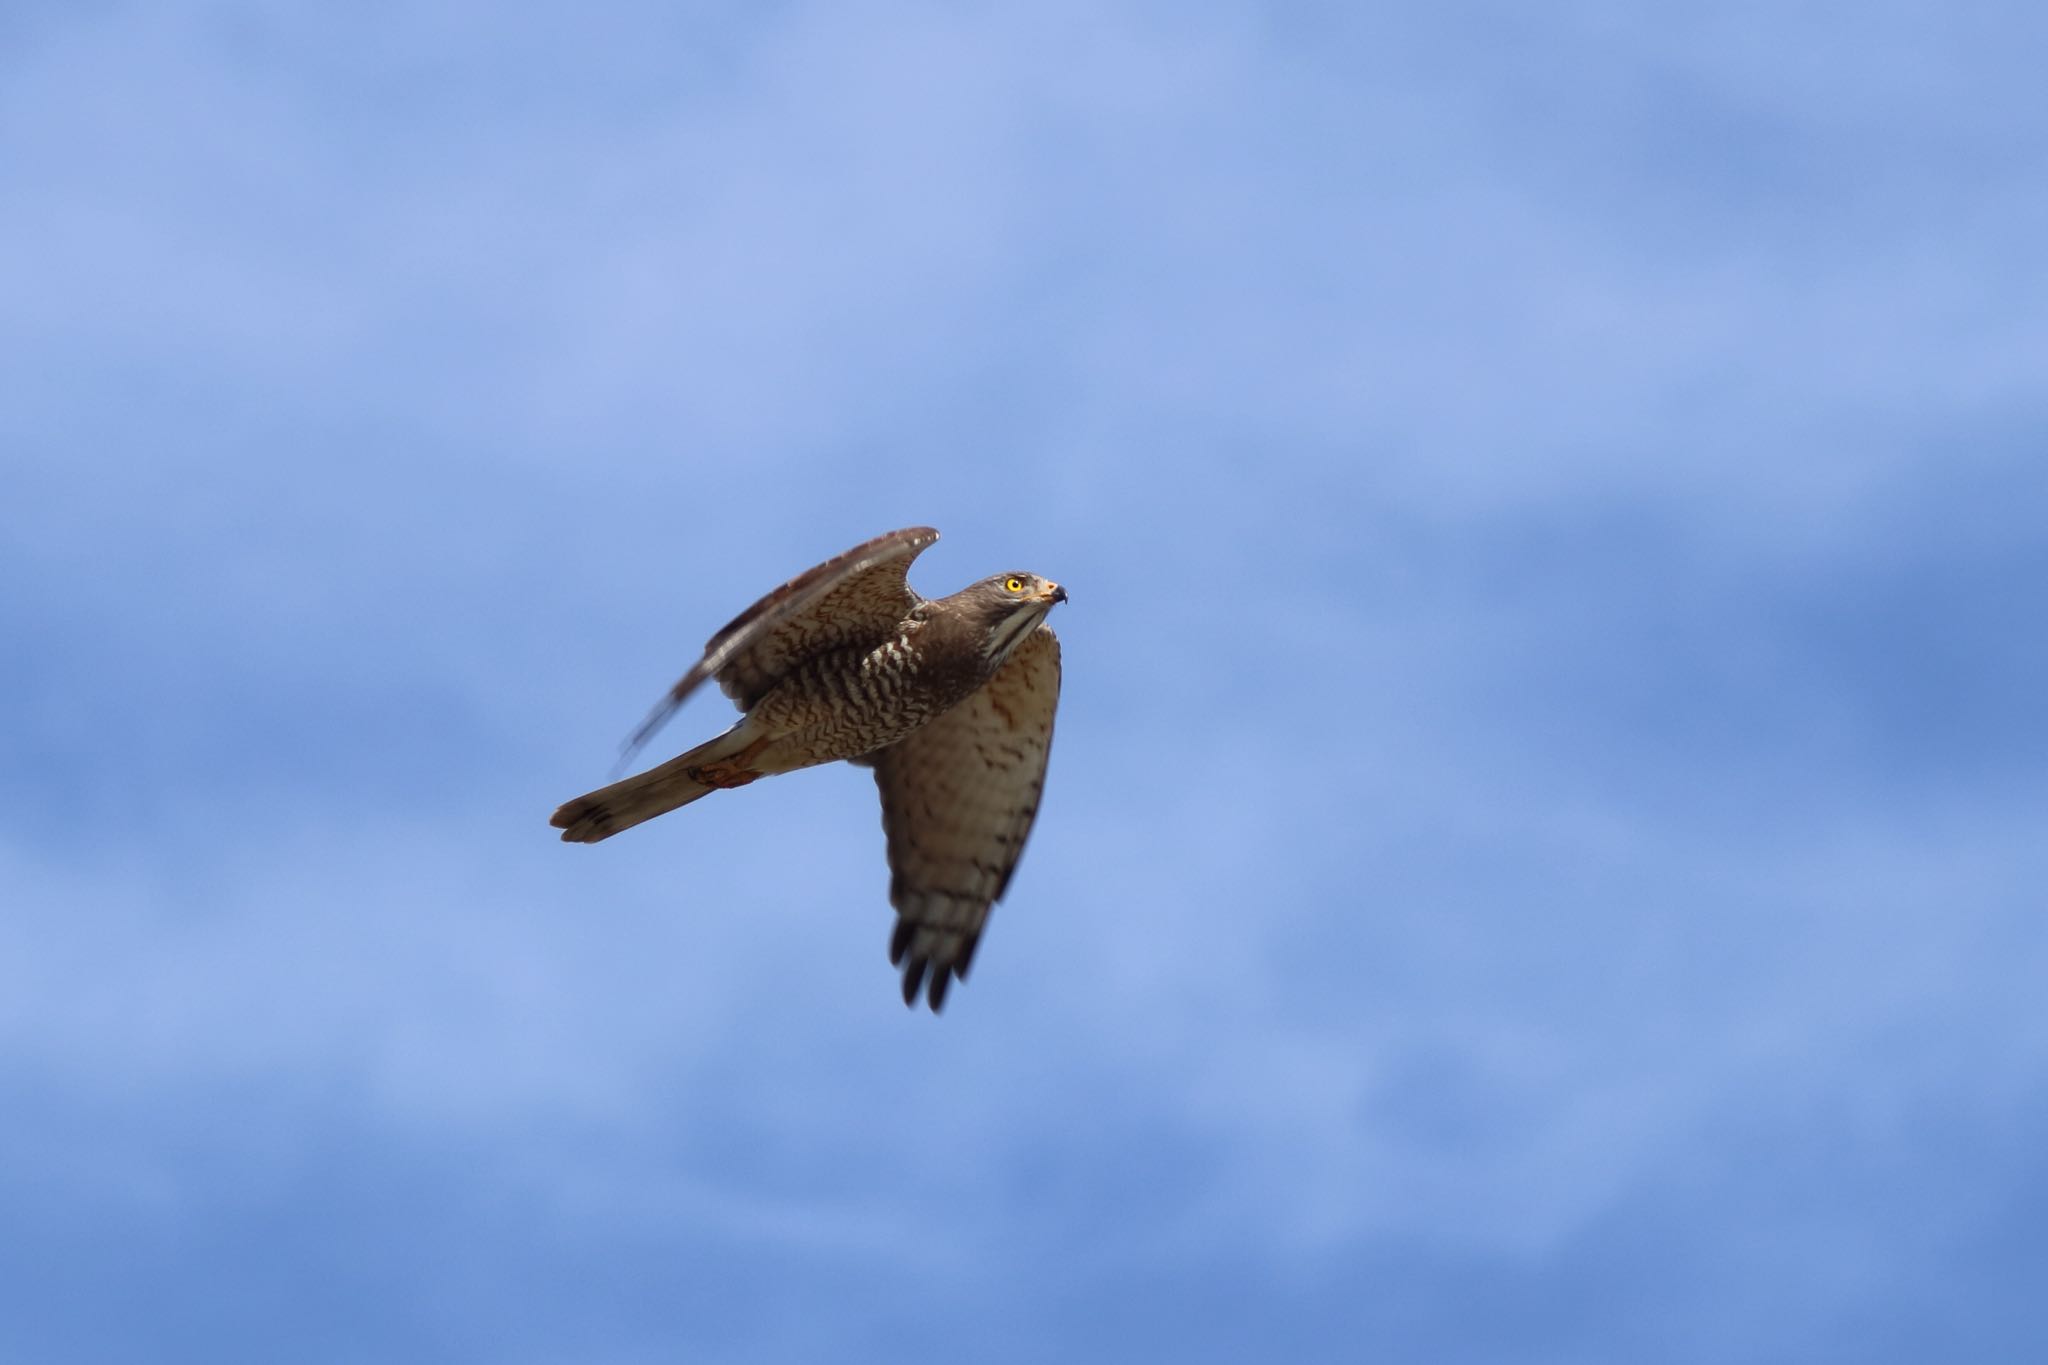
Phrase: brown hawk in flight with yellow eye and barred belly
[949,701]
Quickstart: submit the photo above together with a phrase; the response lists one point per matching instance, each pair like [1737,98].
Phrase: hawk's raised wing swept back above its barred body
[855,599]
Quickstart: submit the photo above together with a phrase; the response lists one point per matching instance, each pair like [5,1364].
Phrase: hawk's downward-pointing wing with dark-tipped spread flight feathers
[959,797]
